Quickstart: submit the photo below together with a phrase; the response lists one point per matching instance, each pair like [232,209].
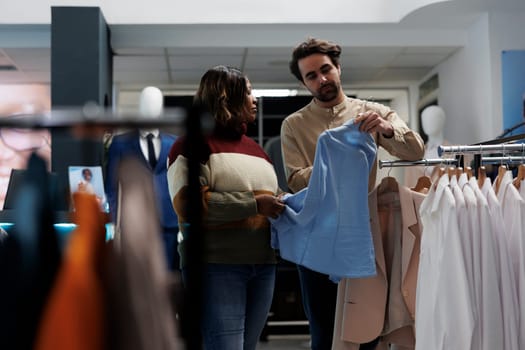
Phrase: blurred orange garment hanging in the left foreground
[74,315]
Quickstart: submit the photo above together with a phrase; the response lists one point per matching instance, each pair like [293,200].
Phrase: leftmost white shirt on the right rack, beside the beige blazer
[444,317]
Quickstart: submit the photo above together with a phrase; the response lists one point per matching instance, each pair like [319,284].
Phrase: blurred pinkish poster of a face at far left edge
[16,145]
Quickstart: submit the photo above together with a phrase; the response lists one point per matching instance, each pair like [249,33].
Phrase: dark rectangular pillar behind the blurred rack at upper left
[81,71]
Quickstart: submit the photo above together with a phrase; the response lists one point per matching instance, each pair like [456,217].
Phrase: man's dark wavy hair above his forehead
[310,47]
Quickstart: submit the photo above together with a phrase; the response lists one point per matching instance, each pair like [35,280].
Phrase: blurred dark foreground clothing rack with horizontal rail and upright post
[196,123]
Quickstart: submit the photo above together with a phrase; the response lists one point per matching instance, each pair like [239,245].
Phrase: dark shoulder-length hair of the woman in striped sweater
[222,92]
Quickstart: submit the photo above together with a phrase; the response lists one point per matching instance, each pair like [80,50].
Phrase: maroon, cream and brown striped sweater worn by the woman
[233,171]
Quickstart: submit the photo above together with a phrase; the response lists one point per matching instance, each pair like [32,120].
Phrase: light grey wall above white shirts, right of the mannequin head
[470,80]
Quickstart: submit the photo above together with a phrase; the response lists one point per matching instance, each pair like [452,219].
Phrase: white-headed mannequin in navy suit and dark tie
[134,143]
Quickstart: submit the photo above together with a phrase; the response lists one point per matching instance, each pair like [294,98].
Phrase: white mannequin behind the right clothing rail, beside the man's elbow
[433,122]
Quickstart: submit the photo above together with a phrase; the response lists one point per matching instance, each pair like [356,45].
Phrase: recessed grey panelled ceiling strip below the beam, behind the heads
[182,67]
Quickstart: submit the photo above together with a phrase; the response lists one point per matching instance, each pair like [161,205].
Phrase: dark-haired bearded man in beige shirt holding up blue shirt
[315,63]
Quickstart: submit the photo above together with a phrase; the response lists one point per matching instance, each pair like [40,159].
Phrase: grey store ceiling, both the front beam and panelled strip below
[175,57]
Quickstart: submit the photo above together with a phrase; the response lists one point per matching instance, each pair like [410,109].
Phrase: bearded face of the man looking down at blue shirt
[321,77]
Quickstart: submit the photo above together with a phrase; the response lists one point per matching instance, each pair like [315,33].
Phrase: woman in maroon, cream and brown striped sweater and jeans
[239,188]
